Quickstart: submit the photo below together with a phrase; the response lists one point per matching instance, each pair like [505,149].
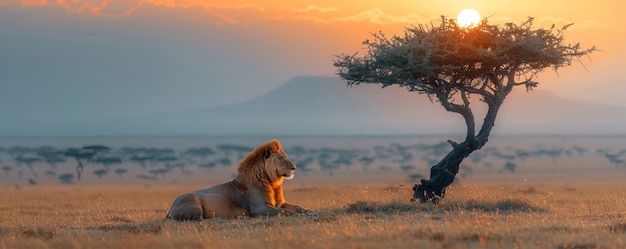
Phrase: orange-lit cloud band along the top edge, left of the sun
[225,12]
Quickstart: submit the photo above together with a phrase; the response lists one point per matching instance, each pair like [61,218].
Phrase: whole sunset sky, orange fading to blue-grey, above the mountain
[65,60]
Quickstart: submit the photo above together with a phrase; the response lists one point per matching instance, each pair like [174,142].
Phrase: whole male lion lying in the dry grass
[256,190]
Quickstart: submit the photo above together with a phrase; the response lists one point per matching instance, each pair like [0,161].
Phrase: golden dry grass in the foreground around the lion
[556,216]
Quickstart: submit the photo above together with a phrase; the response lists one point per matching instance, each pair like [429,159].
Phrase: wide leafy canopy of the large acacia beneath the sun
[451,59]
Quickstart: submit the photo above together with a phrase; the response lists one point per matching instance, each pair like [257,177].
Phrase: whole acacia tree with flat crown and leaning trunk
[449,64]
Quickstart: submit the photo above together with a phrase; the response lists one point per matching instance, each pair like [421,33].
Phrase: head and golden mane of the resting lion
[267,163]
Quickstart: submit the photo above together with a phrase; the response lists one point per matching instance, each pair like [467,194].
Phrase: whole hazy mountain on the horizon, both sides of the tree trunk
[326,106]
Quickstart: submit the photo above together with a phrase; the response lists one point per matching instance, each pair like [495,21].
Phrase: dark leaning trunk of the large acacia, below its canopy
[443,173]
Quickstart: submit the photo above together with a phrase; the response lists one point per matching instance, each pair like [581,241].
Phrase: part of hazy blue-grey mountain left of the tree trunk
[309,105]
